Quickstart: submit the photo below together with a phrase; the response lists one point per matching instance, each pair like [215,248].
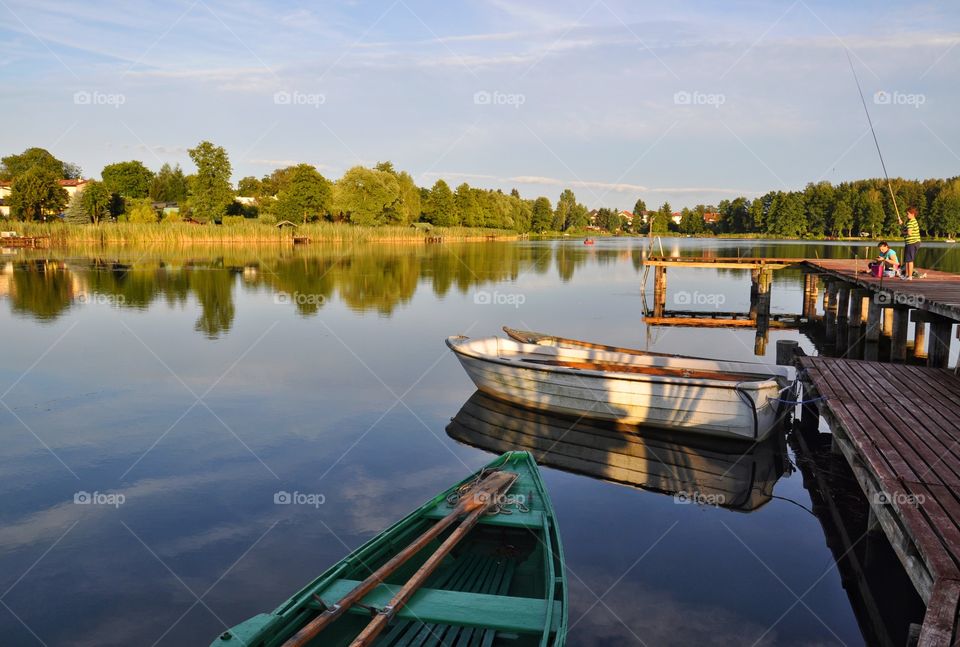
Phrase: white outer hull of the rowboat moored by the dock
[745,410]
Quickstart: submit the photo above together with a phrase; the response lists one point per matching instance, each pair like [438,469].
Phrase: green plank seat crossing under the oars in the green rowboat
[440,607]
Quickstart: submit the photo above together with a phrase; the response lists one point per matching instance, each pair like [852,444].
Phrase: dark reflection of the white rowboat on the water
[731,474]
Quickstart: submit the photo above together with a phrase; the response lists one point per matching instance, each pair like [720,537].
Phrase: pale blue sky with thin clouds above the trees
[686,102]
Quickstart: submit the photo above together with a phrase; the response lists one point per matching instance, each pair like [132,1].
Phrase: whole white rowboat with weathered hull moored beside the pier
[716,397]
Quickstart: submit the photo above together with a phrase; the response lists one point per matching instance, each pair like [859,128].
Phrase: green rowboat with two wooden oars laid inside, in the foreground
[498,582]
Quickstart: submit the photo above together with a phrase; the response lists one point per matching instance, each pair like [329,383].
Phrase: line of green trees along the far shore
[383,195]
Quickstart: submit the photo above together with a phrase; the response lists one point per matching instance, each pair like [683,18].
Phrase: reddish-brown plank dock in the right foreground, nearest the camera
[898,427]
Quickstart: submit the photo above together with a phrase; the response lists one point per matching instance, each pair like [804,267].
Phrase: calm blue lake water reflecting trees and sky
[187,388]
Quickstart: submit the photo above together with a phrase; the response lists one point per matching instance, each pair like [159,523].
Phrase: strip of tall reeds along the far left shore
[240,233]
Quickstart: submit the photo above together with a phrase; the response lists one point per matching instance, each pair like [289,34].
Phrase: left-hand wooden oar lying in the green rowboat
[476,500]
